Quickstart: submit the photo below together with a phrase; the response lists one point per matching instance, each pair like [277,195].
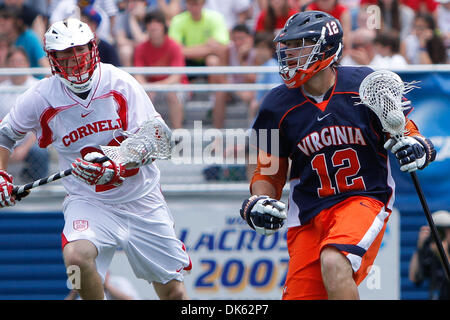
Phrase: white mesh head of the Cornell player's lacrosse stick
[151,141]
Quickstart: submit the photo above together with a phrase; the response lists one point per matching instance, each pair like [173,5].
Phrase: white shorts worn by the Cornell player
[143,228]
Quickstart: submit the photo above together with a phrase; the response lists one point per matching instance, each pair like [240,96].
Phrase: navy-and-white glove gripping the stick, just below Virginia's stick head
[412,152]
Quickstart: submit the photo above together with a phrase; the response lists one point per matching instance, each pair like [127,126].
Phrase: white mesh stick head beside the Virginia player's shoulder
[382,91]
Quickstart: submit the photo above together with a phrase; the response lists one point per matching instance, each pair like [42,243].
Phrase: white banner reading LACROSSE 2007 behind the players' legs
[231,261]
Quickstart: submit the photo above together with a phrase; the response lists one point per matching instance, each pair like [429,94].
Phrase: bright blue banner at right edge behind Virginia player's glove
[431,113]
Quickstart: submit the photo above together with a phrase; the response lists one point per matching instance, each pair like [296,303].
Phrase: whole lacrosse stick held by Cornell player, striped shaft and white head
[151,141]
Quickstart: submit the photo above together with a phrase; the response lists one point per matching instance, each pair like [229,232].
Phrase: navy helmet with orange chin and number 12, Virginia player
[309,42]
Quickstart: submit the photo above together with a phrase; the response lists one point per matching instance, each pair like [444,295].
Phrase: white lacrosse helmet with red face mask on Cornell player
[77,70]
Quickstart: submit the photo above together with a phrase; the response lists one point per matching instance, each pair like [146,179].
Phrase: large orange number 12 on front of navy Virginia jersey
[345,178]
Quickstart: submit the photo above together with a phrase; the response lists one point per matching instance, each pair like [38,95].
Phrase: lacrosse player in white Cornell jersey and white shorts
[83,105]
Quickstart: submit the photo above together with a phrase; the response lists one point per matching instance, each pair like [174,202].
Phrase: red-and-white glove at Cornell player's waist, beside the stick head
[97,173]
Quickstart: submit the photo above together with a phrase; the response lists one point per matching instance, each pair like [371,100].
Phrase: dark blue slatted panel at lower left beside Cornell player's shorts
[31,263]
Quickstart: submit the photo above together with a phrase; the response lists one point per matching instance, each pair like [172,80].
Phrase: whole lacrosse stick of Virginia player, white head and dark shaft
[382,91]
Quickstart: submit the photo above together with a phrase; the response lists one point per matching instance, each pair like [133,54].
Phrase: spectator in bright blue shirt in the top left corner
[13,27]
